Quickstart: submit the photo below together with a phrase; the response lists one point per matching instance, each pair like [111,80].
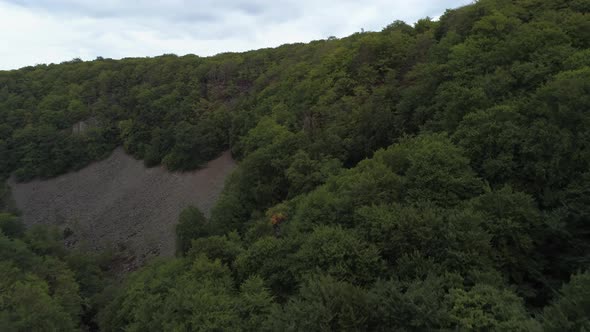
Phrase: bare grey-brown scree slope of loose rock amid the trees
[120,204]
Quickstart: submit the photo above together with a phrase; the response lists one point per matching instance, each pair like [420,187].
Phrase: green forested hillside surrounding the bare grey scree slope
[433,176]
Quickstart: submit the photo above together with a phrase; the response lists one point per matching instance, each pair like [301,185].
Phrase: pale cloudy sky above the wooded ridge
[52,31]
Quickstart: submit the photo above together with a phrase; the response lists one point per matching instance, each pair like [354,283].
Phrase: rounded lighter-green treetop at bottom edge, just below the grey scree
[175,295]
